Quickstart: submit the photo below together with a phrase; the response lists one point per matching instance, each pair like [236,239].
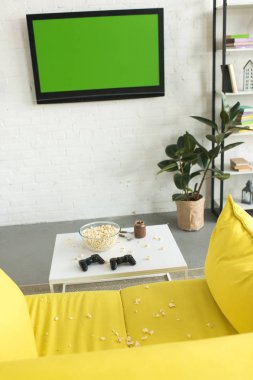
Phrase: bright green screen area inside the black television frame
[97,52]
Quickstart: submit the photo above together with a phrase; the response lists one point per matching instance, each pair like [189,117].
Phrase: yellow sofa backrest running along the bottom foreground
[225,358]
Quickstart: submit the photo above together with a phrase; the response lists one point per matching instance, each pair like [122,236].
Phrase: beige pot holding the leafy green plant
[190,214]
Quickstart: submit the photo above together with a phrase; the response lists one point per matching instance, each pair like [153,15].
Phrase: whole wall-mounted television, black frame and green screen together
[97,55]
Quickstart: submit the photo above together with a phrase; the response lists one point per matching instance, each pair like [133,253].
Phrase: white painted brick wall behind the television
[88,160]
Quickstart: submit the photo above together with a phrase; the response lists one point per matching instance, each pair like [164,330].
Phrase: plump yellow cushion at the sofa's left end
[16,334]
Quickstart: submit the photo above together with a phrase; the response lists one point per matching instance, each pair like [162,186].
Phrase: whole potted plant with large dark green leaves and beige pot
[190,160]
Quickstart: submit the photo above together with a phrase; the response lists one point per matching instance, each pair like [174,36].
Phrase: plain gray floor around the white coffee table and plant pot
[26,250]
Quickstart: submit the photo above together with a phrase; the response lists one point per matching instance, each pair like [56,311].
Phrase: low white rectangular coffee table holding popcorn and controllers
[155,254]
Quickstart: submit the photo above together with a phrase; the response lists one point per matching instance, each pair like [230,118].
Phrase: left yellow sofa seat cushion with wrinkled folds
[76,322]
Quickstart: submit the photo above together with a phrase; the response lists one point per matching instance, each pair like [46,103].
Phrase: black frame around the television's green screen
[98,94]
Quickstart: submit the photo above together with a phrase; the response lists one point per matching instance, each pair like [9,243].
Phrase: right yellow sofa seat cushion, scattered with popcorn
[172,311]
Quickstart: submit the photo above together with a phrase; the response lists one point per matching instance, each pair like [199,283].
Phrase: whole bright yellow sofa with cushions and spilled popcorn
[184,329]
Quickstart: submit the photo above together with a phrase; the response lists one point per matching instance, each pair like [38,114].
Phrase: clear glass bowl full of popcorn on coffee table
[100,236]
